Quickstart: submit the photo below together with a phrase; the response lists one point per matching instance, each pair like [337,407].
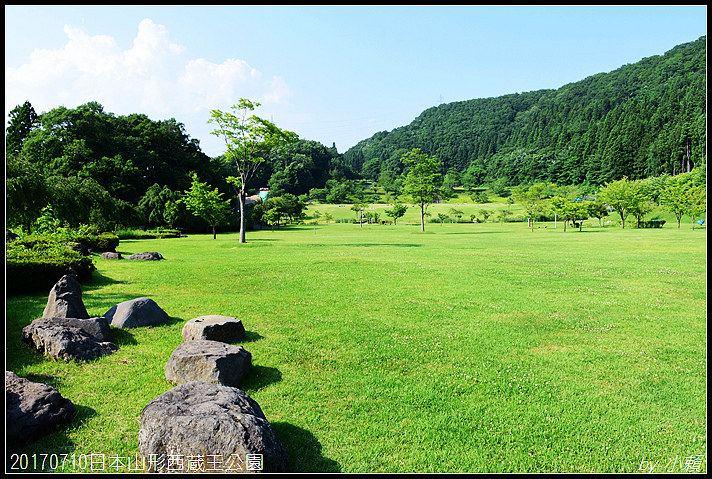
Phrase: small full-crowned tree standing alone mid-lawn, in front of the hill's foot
[423,181]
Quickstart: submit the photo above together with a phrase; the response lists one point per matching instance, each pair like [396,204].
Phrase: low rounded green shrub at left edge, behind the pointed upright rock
[37,262]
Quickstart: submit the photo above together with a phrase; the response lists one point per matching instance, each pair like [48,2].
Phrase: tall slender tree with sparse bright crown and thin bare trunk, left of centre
[248,140]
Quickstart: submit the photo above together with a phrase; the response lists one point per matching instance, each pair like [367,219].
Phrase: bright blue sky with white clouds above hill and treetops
[331,74]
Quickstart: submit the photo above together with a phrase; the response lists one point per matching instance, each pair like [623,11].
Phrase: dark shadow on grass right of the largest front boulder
[304,450]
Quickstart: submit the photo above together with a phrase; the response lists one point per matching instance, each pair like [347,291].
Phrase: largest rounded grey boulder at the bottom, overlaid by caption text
[210,419]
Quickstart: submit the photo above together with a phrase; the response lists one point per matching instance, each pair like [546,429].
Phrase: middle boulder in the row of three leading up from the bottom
[208,361]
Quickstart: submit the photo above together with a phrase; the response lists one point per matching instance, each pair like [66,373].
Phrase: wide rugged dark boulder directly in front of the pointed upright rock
[70,338]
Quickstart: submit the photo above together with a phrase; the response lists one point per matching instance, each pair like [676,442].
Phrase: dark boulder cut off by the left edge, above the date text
[33,409]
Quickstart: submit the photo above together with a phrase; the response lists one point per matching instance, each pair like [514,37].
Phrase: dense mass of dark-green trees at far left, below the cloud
[95,167]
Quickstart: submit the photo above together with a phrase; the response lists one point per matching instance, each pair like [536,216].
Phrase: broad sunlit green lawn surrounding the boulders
[467,348]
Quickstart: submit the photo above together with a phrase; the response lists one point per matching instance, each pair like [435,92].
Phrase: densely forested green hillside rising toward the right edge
[643,119]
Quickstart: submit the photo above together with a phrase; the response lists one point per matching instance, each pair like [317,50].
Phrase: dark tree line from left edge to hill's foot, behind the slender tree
[93,167]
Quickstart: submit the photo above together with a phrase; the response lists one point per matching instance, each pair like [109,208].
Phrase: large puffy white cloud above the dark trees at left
[155,77]
